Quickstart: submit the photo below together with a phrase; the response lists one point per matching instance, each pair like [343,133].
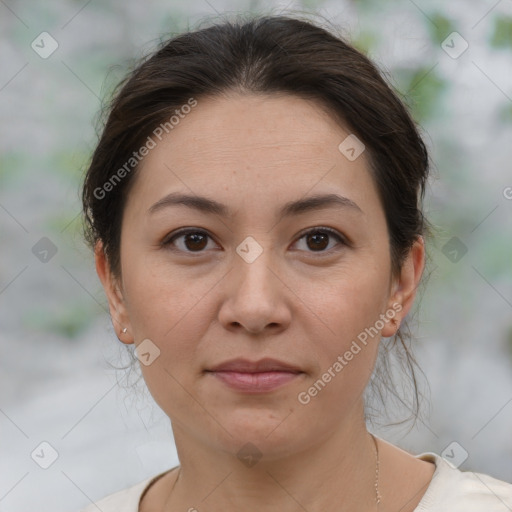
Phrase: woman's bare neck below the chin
[337,472]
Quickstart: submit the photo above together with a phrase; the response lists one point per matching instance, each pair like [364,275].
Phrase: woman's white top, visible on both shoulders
[450,490]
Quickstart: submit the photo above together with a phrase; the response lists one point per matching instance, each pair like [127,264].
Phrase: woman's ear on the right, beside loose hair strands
[404,286]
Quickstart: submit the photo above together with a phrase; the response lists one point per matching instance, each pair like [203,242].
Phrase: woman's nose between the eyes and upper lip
[256,298]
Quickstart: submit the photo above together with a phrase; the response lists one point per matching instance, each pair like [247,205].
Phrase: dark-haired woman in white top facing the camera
[254,204]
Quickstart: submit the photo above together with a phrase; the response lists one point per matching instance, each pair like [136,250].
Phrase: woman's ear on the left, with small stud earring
[113,291]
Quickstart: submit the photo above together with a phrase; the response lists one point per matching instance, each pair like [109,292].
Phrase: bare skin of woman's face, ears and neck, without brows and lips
[254,153]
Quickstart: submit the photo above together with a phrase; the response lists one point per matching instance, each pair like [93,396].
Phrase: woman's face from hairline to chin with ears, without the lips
[252,283]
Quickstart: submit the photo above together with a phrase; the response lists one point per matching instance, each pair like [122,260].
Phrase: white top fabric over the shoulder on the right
[453,490]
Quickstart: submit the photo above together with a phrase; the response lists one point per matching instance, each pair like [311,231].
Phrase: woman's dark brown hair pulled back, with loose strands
[268,55]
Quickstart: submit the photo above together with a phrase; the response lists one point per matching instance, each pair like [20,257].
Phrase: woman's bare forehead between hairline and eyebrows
[245,147]
